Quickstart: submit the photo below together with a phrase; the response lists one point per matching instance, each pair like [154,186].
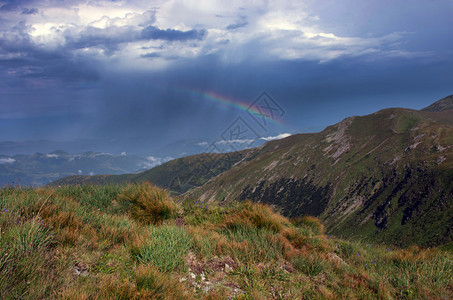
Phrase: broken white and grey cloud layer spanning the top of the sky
[133,30]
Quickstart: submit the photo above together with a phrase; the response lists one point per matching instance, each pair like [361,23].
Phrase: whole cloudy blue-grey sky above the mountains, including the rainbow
[143,74]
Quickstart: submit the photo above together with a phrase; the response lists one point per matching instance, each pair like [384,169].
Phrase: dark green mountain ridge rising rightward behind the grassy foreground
[384,177]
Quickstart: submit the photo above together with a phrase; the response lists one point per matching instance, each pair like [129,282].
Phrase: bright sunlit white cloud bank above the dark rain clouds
[276,29]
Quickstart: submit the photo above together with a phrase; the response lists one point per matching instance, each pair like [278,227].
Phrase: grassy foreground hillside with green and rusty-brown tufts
[136,242]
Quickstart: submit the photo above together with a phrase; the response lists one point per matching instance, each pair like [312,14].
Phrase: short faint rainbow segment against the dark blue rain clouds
[226,102]
